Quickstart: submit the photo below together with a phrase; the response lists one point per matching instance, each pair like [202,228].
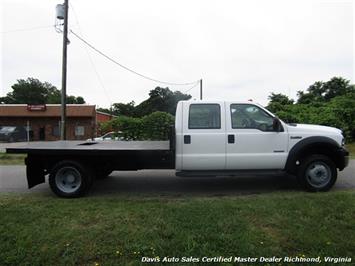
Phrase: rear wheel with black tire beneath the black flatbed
[70,179]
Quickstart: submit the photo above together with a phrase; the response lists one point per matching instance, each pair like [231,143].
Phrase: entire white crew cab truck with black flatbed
[210,138]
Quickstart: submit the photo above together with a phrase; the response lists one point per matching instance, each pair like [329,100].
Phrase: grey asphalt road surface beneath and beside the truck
[164,182]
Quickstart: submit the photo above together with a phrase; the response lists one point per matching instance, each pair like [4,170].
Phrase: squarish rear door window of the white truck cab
[205,116]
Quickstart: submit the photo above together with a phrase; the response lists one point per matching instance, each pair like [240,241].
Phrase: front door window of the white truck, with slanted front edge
[250,116]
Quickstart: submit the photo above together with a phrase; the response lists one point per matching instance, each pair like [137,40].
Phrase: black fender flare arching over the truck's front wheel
[329,146]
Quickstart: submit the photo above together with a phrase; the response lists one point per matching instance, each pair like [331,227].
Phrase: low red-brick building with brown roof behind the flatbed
[44,120]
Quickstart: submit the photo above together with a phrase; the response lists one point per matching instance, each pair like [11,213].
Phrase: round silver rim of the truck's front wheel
[318,174]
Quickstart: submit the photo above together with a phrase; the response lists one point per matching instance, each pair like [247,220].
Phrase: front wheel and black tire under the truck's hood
[317,173]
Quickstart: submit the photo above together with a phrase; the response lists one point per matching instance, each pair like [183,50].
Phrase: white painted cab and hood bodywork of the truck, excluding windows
[253,149]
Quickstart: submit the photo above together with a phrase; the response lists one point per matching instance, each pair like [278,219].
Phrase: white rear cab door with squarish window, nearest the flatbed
[203,136]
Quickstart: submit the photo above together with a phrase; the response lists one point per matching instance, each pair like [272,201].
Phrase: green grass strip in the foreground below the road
[119,230]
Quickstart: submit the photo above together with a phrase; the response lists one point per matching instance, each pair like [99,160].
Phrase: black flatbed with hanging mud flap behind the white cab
[92,159]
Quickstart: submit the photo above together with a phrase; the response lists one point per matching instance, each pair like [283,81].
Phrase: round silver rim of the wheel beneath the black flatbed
[68,179]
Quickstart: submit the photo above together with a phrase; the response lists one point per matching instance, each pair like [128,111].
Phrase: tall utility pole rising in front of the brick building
[64,74]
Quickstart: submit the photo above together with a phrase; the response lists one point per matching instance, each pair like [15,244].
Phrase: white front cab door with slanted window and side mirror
[252,141]
